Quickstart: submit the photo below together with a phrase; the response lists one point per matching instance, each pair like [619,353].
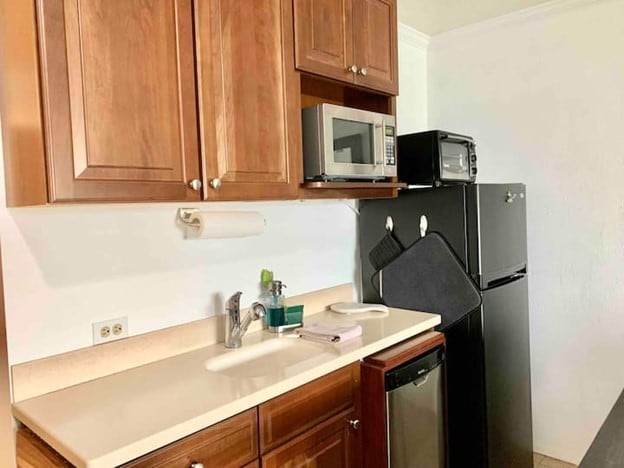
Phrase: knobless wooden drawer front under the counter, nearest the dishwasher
[297,411]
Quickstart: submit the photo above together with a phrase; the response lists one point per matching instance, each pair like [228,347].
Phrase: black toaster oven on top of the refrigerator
[437,158]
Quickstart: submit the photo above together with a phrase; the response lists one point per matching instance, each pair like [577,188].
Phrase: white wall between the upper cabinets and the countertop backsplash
[66,267]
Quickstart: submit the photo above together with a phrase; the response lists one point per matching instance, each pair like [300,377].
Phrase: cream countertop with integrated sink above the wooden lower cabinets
[114,419]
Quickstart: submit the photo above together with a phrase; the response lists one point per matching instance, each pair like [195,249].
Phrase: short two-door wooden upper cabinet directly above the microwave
[353,41]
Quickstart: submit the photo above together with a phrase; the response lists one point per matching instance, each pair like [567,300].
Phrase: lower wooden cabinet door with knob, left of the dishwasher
[328,445]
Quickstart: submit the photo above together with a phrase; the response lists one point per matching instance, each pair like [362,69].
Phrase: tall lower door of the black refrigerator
[507,375]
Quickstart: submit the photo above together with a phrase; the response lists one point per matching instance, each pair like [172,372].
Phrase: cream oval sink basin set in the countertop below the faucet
[285,356]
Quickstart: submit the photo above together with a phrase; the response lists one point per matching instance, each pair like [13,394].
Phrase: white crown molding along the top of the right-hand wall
[544,10]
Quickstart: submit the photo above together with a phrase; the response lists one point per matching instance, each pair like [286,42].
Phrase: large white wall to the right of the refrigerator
[543,94]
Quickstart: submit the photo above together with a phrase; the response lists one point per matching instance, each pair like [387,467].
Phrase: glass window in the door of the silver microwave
[353,142]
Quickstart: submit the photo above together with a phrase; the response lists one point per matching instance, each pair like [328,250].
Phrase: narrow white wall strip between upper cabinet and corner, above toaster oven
[412,100]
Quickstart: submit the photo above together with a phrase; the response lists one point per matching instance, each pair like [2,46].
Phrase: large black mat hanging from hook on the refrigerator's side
[428,276]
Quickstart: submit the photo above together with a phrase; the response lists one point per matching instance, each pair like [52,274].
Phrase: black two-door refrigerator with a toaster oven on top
[488,364]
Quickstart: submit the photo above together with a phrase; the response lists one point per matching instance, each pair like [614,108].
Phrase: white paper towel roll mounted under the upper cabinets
[223,224]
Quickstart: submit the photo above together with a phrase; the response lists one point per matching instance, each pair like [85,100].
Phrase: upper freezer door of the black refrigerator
[496,222]
